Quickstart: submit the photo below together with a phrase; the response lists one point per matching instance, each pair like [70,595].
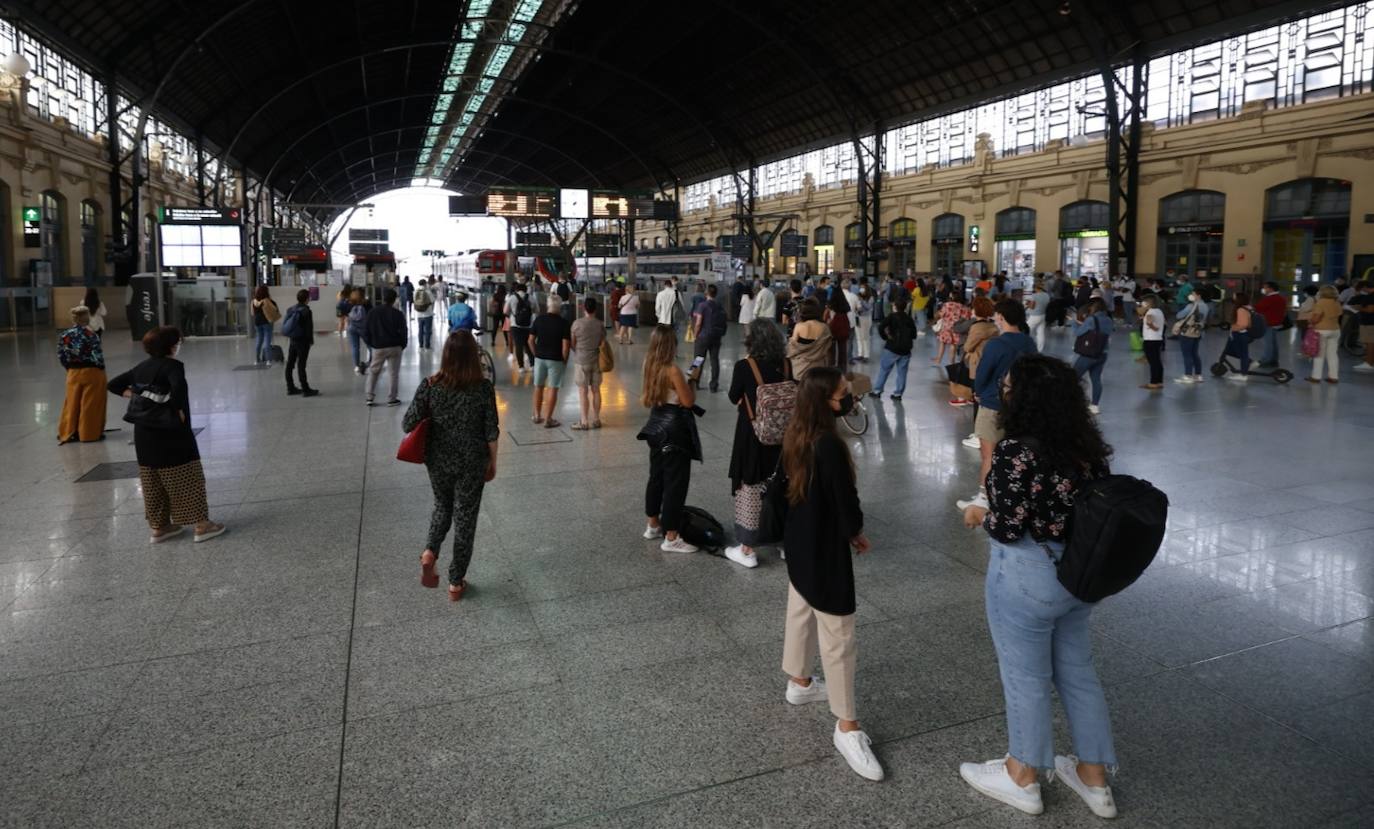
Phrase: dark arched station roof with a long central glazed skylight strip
[336,101]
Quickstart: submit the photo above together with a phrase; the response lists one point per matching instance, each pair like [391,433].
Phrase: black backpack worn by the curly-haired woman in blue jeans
[1116,529]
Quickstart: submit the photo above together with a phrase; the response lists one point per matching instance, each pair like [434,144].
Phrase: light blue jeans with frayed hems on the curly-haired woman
[1044,641]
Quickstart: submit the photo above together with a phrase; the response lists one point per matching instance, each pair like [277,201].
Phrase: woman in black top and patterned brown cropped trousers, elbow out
[170,461]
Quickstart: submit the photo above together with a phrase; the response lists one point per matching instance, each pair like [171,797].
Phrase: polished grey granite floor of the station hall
[295,673]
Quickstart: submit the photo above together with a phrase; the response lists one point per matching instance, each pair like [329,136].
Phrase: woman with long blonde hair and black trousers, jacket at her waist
[673,439]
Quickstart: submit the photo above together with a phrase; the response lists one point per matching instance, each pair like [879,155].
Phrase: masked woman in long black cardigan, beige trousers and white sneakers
[824,524]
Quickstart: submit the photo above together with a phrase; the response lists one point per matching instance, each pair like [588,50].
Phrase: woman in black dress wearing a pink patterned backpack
[751,460]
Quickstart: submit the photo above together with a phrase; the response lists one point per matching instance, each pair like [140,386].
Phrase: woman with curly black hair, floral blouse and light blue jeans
[1039,629]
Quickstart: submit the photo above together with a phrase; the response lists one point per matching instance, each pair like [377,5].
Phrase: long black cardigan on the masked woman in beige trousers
[818,531]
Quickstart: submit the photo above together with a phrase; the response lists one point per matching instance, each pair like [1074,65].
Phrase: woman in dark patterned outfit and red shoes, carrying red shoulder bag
[460,453]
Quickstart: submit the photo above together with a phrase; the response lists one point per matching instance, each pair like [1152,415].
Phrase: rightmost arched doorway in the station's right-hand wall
[1307,230]
